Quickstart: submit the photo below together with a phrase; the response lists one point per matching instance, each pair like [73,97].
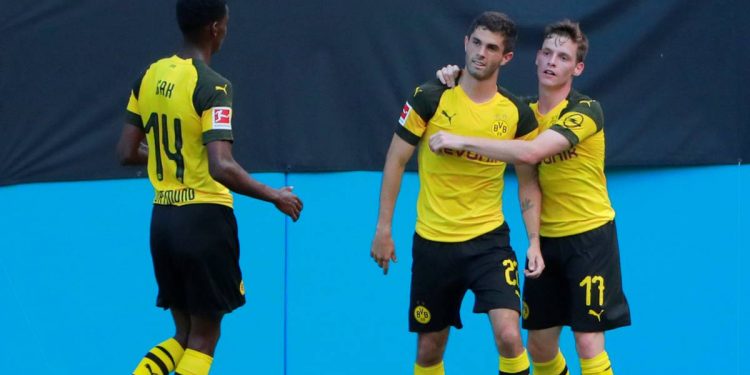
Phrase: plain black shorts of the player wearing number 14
[196,253]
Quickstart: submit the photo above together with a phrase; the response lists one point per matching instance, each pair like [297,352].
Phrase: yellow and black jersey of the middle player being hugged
[460,195]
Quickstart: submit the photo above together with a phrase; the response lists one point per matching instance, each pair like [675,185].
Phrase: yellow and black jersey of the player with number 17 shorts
[574,188]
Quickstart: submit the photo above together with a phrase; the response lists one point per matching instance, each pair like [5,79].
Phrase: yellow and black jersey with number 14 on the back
[181,105]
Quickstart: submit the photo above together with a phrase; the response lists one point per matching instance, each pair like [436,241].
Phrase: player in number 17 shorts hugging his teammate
[581,286]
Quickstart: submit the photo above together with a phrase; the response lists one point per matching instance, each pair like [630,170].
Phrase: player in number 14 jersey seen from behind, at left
[184,110]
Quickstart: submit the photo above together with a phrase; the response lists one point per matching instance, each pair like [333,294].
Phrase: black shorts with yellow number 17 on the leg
[581,285]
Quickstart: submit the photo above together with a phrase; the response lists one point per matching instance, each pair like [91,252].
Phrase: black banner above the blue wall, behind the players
[319,86]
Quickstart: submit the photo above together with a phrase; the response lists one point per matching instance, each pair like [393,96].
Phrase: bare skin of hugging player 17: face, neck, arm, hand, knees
[557,65]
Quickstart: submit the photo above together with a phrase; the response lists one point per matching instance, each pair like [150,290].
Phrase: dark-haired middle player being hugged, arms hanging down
[462,239]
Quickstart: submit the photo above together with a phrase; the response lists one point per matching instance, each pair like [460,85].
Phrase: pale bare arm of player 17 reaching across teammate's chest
[548,143]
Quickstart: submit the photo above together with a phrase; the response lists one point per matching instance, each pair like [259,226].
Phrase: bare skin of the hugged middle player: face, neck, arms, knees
[484,56]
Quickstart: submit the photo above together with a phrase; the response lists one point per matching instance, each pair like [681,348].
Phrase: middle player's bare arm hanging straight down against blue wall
[383,249]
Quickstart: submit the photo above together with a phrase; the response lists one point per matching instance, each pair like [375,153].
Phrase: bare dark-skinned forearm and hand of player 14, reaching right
[228,172]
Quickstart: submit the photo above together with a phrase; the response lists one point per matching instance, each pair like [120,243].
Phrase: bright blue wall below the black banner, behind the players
[77,290]
